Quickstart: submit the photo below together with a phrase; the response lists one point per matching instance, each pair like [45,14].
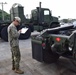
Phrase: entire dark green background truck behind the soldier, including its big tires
[41,18]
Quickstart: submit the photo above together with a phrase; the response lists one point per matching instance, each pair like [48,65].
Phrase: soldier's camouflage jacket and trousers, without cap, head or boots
[13,36]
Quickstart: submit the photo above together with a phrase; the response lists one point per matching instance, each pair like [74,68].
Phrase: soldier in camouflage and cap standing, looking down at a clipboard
[13,36]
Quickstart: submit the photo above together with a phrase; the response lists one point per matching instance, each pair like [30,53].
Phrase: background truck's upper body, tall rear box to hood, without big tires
[41,18]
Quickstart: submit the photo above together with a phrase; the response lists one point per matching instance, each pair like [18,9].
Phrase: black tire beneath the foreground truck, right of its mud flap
[49,56]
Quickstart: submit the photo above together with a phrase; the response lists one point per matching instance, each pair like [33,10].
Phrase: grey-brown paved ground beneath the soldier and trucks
[29,65]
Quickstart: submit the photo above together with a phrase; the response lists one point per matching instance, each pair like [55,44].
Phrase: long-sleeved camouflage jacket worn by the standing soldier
[13,35]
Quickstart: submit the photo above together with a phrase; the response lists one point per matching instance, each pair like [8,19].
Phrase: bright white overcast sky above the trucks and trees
[63,8]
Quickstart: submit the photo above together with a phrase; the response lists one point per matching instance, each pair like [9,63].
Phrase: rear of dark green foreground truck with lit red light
[50,44]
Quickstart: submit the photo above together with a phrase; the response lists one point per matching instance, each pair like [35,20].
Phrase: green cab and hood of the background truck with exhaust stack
[42,18]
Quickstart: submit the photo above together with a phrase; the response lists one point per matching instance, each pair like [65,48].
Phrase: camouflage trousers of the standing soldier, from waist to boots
[15,57]
